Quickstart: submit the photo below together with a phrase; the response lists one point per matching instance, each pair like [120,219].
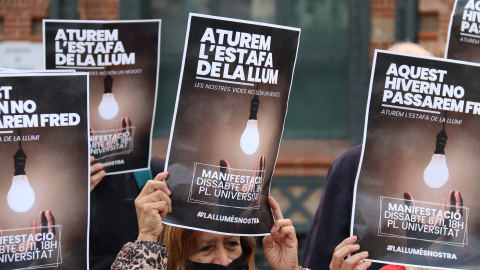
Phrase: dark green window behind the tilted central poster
[318,105]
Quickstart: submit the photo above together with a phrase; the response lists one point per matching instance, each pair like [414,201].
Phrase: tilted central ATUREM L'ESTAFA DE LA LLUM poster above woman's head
[228,122]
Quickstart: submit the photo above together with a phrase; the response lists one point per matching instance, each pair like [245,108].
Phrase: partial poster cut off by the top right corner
[463,41]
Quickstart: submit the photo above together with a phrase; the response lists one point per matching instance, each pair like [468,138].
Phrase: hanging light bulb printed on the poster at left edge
[20,197]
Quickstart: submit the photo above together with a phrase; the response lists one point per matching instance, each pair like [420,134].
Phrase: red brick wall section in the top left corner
[17,16]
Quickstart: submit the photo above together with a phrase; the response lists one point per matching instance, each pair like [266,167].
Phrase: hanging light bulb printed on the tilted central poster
[250,138]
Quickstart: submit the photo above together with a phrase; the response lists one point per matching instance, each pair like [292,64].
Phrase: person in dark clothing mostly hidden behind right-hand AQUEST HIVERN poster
[331,223]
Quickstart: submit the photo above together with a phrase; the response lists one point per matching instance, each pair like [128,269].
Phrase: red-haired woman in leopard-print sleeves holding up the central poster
[190,249]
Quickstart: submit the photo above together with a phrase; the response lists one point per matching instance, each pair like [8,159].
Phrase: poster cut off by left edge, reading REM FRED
[45,170]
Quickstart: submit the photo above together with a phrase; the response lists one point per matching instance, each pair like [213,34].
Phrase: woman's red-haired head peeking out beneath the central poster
[203,247]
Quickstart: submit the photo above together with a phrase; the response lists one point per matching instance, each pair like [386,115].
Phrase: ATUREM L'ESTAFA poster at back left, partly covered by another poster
[122,59]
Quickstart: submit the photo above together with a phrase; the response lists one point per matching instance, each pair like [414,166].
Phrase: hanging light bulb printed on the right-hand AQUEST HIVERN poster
[436,174]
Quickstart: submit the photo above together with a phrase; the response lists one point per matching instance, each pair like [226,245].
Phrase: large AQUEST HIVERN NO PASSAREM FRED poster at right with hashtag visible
[416,193]
